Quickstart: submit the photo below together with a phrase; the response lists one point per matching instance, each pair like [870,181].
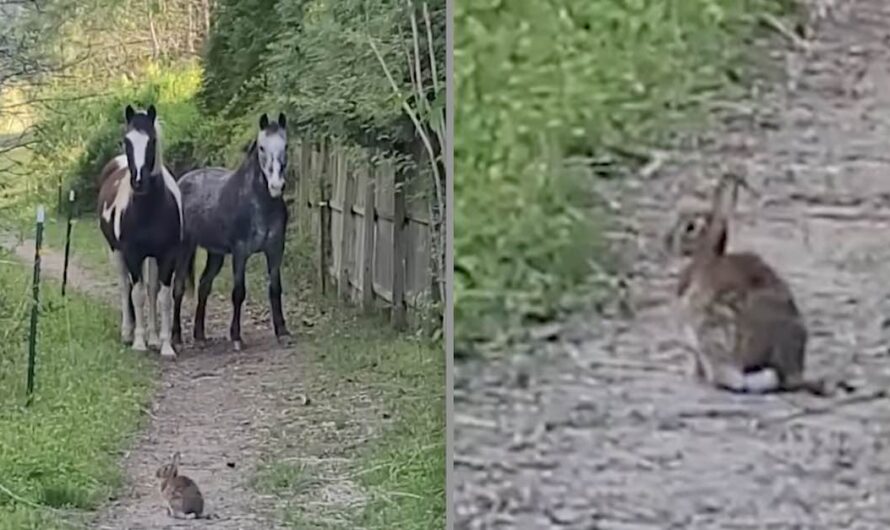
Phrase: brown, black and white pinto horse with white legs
[140,215]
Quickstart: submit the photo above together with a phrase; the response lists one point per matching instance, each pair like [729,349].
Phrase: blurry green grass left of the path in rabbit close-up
[538,82]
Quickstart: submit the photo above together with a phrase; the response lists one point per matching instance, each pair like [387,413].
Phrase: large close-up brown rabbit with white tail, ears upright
[746,330]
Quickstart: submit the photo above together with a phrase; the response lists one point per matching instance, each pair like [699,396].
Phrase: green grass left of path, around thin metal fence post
[62,452]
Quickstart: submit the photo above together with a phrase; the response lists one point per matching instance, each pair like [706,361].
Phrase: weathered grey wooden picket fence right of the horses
[371,225]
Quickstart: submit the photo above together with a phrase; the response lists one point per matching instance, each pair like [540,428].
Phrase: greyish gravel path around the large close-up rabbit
[601,431]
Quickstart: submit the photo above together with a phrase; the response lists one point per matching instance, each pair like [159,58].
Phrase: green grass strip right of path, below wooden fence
[404,470]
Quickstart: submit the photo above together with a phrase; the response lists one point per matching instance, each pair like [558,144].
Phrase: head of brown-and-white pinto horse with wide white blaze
[141,146]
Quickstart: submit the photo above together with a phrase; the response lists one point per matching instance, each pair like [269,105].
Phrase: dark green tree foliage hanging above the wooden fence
[315,61]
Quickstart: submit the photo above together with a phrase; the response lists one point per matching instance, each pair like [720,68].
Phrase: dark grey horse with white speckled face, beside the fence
[239,212]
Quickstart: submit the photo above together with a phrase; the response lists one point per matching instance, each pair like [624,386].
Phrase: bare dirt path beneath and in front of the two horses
[214,406]
